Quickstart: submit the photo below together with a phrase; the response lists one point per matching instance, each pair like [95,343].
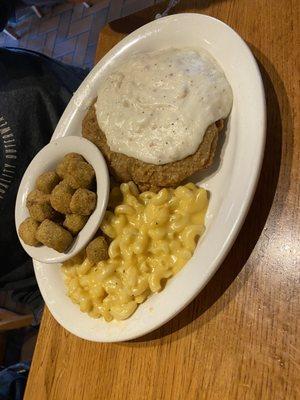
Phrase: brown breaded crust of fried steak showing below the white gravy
[150,176]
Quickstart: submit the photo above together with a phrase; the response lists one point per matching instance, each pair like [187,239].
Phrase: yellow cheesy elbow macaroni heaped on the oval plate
[153,236]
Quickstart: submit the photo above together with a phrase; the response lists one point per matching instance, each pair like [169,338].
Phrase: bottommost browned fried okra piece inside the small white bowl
[53,235]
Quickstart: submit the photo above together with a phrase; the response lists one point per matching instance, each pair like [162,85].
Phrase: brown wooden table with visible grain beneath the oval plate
[239,338]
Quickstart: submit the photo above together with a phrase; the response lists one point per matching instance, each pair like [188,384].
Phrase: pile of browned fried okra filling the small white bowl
[50,203]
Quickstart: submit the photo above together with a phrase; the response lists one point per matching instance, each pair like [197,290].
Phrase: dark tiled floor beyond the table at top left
[69,32]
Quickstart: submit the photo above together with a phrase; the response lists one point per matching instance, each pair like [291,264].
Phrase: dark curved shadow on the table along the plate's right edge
[257,216]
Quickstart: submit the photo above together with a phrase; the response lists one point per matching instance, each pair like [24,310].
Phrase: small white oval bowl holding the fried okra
[46,160]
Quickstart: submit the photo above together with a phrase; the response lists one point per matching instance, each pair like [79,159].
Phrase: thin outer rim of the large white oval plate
[243,210]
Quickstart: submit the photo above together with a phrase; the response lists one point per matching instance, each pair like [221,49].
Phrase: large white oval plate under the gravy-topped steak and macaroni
[231,181]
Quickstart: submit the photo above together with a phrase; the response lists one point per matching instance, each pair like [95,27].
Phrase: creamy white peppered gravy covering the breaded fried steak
[156,106]
